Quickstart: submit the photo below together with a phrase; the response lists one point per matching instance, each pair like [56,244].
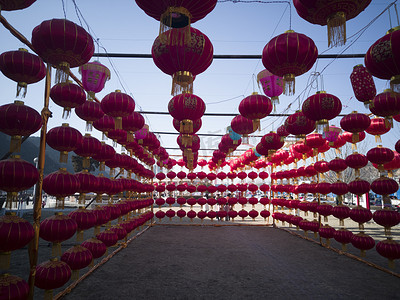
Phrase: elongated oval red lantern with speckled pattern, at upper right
[363,85]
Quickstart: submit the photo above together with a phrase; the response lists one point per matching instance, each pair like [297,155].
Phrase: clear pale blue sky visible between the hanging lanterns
[233,28]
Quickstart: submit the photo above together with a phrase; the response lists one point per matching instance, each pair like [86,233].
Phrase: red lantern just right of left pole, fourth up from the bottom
[64,139]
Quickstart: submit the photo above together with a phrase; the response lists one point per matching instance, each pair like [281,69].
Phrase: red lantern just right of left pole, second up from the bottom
[56,229]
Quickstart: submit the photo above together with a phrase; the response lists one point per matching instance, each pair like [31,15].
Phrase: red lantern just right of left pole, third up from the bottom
[60,184]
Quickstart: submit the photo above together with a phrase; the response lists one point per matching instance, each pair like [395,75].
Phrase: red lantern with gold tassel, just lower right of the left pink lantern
[118,105]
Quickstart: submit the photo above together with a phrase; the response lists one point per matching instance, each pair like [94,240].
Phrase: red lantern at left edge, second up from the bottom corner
[15,233]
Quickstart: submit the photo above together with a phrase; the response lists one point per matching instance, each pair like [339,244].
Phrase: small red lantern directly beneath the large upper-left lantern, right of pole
[67,95]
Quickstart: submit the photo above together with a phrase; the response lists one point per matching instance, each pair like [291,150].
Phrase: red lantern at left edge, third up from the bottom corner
[16,175]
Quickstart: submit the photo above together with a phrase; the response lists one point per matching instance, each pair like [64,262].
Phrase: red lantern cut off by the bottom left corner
[13,287]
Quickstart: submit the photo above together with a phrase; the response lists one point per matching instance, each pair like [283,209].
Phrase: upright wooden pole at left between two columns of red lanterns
[37,208]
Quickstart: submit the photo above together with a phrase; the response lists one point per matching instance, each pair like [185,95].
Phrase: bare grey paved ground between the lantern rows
[198,262]
